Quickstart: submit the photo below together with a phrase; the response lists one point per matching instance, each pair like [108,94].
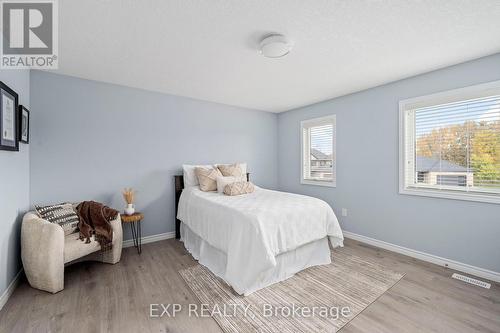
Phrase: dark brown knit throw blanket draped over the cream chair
[95,219]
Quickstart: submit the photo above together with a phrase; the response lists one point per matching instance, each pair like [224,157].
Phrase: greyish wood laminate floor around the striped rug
[116,298]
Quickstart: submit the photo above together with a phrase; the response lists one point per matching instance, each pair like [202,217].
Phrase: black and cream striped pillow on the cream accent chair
[63,214]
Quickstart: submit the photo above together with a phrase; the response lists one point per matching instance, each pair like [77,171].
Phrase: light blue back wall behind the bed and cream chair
[91,139]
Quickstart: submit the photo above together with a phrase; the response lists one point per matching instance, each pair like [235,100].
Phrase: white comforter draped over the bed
[252,229]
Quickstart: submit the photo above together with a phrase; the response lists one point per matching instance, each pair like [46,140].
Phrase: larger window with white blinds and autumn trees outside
[450,144]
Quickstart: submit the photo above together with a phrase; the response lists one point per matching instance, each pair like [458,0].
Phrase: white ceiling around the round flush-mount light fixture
[208,49]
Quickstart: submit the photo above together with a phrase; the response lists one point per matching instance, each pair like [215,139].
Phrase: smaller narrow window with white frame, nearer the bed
[318,151]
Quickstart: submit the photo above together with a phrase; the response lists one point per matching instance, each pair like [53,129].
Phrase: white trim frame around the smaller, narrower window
[307,122]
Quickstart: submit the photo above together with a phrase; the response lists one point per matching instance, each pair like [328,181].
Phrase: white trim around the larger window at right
[476,91]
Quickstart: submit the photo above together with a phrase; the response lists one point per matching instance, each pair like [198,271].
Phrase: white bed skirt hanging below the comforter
[287,264]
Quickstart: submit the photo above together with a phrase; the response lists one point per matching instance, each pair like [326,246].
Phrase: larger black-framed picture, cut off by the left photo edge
[9,103]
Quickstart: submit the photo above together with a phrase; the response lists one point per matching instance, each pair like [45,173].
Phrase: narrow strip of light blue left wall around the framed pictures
[14,188]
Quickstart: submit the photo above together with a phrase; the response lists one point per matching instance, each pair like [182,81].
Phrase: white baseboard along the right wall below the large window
[456,265]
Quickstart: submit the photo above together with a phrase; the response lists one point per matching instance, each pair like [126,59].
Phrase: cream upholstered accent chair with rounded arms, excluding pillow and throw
[45,251]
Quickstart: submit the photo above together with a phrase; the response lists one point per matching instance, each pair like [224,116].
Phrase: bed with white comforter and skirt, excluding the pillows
[254,240]
